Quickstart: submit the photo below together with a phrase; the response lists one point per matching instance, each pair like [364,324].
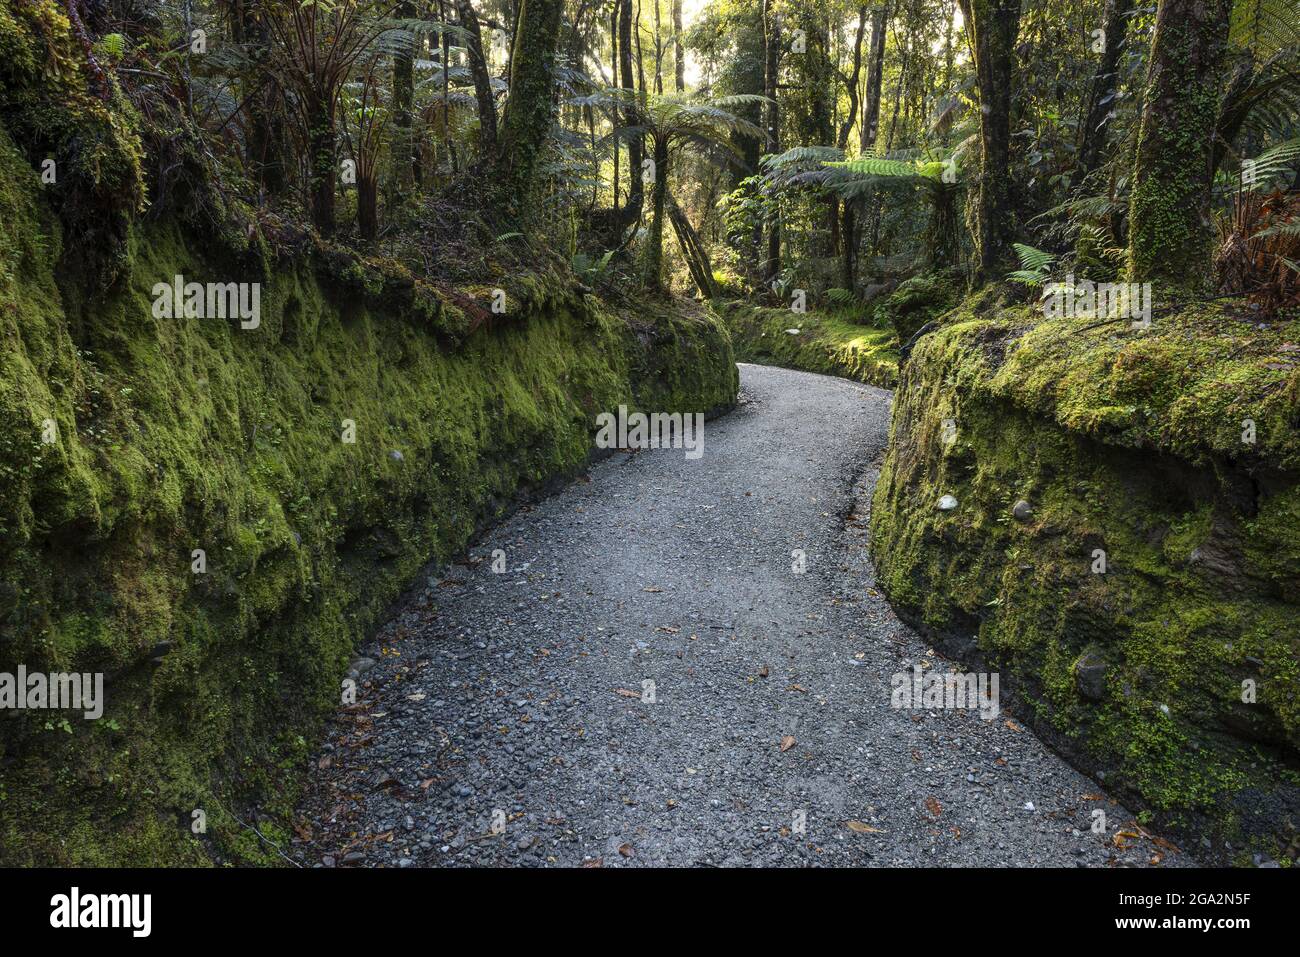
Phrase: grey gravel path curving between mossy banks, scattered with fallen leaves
[501,717]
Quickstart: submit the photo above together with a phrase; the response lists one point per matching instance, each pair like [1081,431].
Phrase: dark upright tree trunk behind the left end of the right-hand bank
[994,27]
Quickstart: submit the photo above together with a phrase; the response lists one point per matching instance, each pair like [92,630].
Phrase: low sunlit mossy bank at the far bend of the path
[827,343]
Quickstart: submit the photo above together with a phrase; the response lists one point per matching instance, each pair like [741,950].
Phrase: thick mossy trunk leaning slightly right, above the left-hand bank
[531,106]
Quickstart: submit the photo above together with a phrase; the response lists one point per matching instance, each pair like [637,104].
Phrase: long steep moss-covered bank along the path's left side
[214,516]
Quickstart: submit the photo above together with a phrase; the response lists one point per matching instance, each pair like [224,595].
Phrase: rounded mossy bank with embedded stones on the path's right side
[1125,548]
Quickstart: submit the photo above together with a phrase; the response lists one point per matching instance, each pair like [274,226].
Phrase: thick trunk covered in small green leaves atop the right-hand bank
[1169,206]
